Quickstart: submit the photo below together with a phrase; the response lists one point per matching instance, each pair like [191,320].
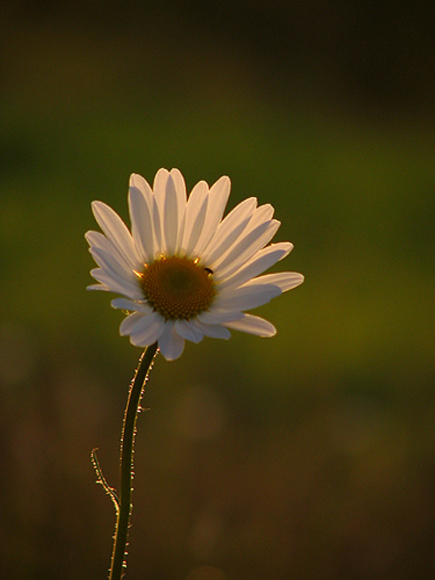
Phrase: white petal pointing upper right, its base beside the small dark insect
[245,249]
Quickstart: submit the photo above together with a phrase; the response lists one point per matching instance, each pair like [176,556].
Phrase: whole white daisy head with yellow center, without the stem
[184,271]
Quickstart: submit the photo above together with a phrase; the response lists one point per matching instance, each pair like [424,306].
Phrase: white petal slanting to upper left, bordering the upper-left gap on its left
[115,230]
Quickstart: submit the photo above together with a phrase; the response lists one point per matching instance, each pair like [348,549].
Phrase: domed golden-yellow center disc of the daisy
[177,287]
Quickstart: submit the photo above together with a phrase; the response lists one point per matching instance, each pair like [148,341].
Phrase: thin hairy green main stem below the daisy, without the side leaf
[118,564]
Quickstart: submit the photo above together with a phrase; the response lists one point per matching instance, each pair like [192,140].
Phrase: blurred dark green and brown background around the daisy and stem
[308,456]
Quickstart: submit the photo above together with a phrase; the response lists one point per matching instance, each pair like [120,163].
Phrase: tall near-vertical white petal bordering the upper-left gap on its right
[141,223]
